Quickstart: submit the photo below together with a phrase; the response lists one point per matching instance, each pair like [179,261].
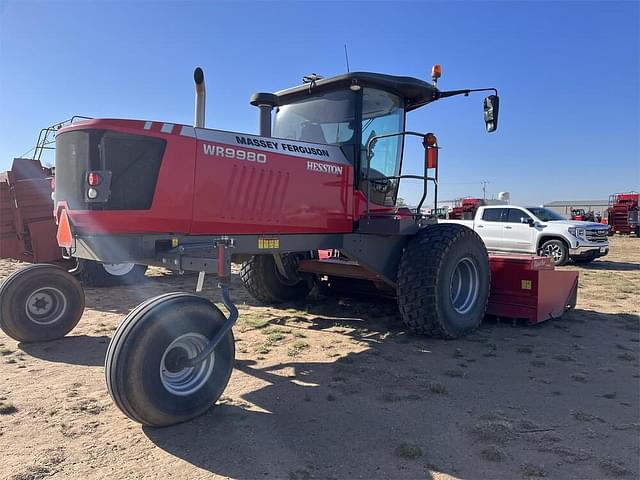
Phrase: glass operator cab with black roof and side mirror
[363,113]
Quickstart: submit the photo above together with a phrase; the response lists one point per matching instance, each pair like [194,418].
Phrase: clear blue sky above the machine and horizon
[567,72]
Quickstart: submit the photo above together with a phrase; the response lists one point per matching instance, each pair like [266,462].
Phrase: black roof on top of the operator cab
[415,92]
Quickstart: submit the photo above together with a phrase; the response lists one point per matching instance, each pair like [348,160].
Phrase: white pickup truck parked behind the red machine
[538,230]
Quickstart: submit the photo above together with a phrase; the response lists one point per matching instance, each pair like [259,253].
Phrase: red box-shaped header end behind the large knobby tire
[528,287]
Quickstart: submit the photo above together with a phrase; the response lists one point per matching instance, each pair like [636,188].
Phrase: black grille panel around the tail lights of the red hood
[133,160]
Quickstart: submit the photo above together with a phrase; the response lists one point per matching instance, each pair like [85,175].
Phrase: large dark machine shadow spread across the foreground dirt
[459,402]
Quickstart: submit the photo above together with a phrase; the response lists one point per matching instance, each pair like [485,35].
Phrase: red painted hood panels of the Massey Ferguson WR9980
[208,195]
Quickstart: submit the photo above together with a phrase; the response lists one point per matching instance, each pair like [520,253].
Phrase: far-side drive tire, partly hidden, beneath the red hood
[264,283]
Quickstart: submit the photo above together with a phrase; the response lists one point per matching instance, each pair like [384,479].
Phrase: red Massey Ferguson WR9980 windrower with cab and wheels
[195,199]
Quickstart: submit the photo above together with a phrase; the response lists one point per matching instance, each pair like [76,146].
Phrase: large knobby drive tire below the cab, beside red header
[444,281]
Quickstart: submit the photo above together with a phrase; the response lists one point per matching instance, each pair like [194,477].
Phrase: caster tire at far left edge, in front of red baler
[40,302]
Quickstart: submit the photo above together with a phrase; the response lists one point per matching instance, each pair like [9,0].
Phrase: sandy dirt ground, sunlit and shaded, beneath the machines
[334,388]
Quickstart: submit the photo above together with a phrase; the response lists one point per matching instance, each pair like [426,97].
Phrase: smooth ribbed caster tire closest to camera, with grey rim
[157,330]
